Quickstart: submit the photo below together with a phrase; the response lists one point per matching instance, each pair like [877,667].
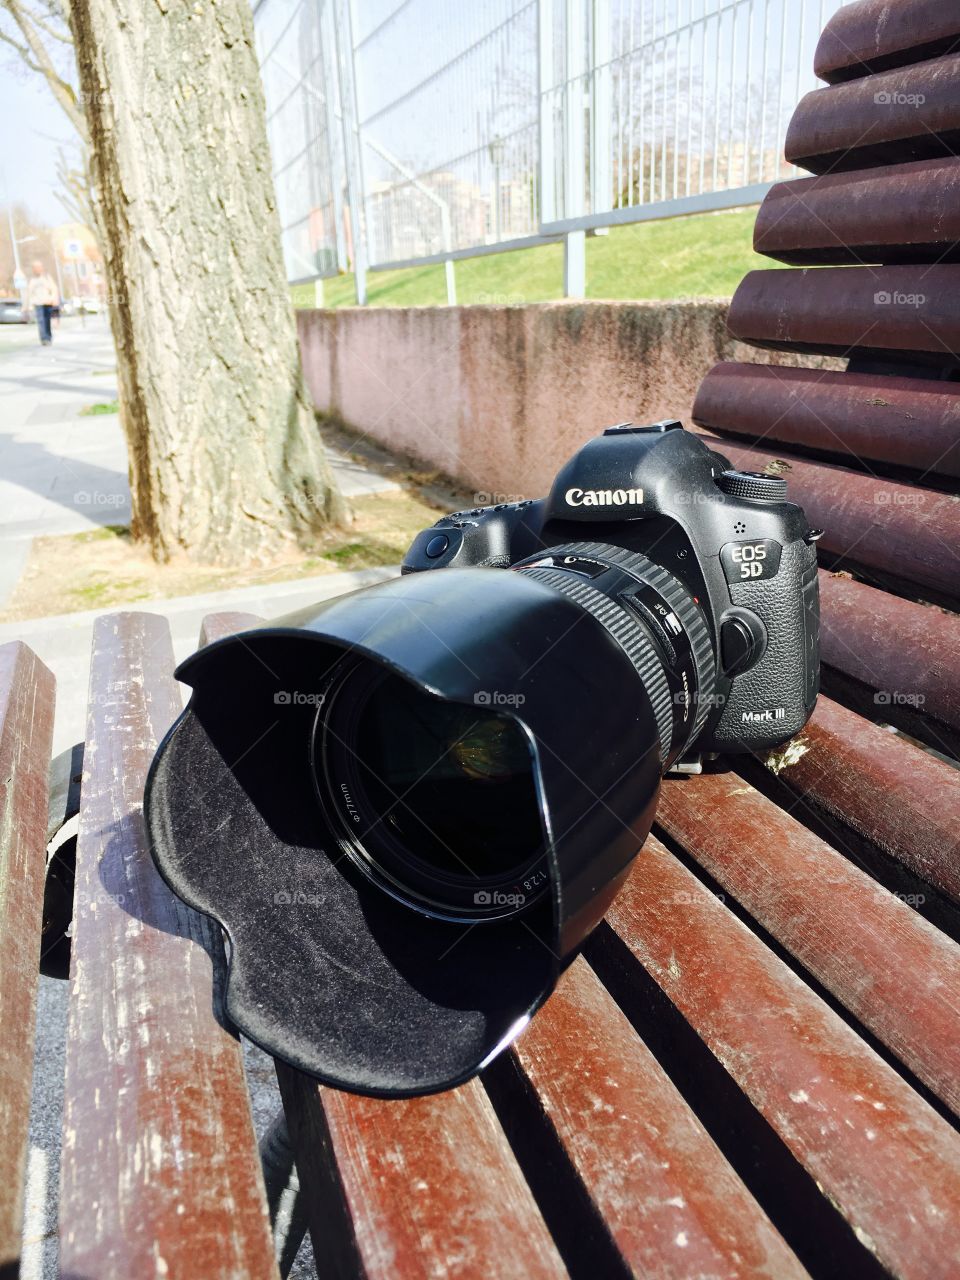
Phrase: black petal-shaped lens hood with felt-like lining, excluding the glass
[324,970]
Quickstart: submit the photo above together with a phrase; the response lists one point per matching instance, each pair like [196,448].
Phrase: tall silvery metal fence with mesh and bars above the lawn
[426,131]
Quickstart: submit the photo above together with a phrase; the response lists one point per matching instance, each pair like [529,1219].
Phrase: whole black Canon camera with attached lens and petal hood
[410,806]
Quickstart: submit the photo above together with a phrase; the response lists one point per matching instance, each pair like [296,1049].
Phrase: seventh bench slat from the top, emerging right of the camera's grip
[907,653]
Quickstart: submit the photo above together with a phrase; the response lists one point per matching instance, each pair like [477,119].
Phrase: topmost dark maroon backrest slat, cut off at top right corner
[876,35]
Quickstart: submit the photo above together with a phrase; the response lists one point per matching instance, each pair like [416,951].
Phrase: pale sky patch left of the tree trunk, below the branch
[31,127]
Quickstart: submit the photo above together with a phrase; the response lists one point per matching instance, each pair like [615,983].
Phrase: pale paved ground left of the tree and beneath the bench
[62,473]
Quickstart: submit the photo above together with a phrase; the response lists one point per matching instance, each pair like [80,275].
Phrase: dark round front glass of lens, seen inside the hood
[433,801]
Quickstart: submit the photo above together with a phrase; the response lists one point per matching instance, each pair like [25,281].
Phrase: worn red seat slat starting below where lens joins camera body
[894,971]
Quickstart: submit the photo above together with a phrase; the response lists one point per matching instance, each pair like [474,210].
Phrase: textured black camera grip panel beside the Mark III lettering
[774,700]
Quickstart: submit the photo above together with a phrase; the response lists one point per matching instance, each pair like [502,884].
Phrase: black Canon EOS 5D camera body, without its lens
[744,554]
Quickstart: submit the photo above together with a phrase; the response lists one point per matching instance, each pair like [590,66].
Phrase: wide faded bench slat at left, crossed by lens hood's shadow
[161,1168]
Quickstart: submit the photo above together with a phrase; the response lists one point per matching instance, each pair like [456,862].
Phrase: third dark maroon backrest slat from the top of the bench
[907,213]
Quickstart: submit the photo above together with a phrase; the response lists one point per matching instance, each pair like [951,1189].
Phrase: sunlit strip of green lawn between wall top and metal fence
[680,258]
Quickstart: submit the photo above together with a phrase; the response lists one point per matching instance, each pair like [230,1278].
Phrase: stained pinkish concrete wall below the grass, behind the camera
[499,397]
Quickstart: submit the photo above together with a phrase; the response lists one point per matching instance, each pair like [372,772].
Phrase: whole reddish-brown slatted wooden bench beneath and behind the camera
[755,1068]
